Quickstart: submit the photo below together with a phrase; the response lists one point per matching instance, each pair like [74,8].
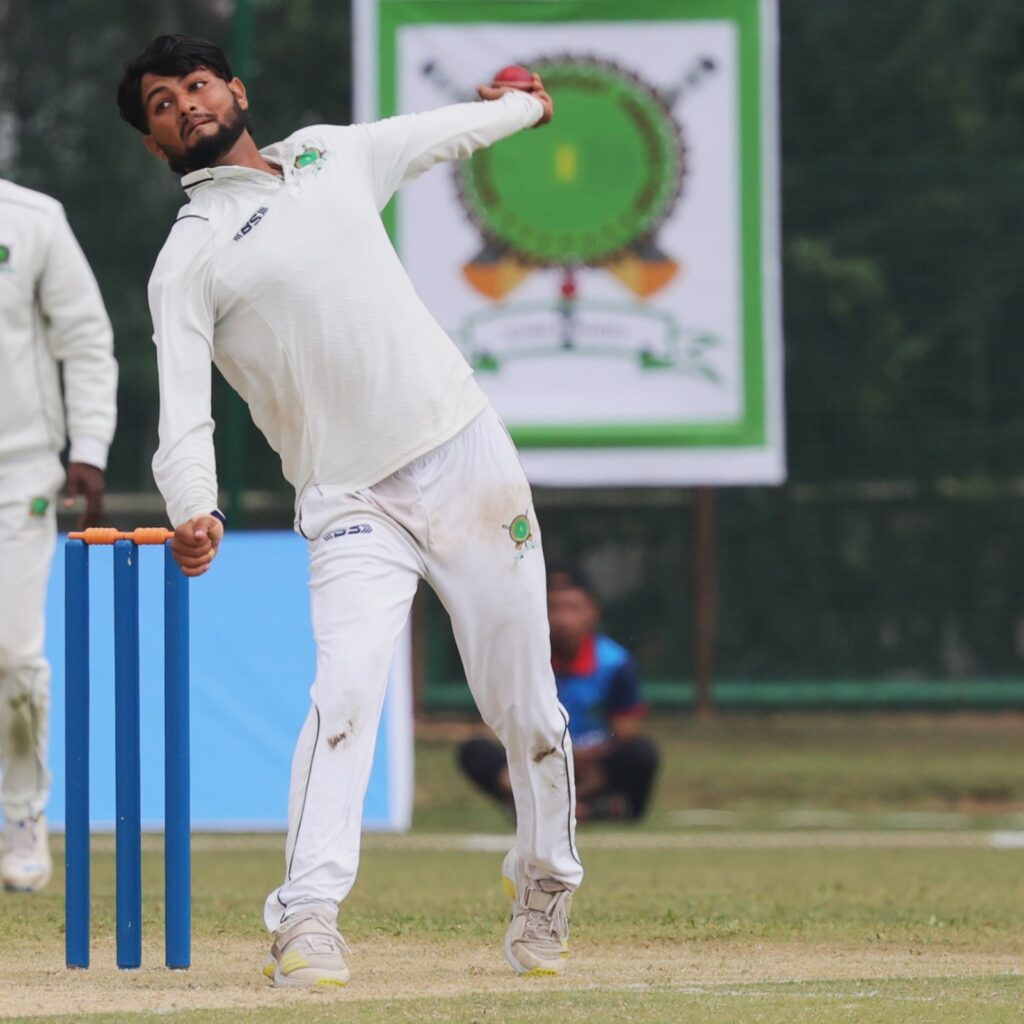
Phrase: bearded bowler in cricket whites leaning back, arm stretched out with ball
[279,270]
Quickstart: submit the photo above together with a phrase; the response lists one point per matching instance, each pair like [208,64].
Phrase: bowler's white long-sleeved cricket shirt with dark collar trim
[291,287]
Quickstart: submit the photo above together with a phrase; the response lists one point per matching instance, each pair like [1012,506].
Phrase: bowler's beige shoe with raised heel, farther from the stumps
[538,938]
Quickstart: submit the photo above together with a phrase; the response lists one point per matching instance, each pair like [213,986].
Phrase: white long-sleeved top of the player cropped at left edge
[52,317]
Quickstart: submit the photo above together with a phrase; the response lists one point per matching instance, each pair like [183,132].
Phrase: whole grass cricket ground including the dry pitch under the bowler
[671,930]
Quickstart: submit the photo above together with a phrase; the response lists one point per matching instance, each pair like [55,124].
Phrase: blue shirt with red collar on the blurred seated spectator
[600,682]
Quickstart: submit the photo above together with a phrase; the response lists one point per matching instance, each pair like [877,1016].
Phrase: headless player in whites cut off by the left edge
[52,320]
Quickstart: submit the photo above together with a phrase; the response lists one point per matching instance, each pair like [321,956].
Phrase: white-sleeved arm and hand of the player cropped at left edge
[79,335]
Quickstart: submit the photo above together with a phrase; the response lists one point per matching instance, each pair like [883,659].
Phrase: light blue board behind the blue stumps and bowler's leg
[253,662]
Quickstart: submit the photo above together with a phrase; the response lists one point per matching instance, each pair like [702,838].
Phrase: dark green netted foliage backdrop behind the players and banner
[895,550]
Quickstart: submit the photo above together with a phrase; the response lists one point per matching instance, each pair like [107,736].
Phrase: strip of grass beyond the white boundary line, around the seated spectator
[772,771]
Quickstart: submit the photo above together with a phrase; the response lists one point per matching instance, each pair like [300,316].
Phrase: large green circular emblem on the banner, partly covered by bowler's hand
[604,176]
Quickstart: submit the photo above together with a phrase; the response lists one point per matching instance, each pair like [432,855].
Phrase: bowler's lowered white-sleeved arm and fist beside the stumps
[183,305]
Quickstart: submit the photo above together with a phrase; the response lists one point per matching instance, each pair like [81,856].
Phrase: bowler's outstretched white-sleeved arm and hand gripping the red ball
[403,148]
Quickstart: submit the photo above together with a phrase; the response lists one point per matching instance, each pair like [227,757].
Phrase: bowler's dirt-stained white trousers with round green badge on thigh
[462,519]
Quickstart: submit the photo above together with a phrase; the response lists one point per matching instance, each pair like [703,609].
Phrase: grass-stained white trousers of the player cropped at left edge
[28,534]
